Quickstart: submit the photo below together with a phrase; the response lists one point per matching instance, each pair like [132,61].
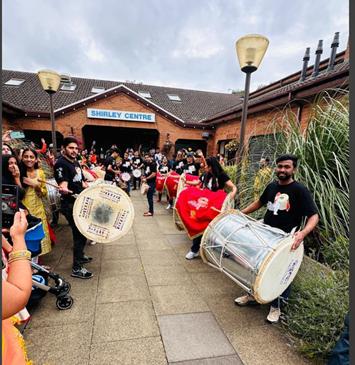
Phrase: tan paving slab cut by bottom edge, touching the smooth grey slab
[143,351]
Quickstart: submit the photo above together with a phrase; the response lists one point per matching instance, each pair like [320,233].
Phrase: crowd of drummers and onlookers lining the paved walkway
[73,169]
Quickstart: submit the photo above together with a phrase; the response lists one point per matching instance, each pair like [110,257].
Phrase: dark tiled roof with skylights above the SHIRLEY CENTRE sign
[30,98]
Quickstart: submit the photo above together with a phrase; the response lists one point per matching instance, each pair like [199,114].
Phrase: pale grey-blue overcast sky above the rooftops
[179,43]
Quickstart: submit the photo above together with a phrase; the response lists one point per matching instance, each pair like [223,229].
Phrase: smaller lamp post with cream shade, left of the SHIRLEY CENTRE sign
[50,81]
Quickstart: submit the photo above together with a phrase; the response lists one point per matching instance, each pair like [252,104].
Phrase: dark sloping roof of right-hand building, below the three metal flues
[293,87]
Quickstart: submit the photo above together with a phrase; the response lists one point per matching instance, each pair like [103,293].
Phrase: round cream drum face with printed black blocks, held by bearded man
[103,213]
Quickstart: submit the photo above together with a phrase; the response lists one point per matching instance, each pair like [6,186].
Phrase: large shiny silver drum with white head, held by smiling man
[254,255]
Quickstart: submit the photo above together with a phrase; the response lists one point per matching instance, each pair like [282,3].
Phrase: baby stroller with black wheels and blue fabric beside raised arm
[40,280]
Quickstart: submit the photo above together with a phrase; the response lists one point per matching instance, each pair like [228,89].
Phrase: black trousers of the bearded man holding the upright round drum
[79,240]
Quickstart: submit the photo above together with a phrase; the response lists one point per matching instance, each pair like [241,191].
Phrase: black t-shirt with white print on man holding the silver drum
[287,205]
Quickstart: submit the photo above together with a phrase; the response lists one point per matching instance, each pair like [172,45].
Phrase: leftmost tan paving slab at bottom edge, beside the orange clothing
[65,344]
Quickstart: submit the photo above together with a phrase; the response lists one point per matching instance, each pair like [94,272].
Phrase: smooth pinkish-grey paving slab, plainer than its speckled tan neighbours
[193,336]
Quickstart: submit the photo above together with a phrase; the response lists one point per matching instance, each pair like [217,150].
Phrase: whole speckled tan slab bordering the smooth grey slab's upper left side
[123,321]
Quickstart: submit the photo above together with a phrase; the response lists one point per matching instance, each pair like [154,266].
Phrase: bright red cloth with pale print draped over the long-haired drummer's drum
[194,207]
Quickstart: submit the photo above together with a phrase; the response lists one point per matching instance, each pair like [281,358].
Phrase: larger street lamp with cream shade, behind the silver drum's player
[250,49]
